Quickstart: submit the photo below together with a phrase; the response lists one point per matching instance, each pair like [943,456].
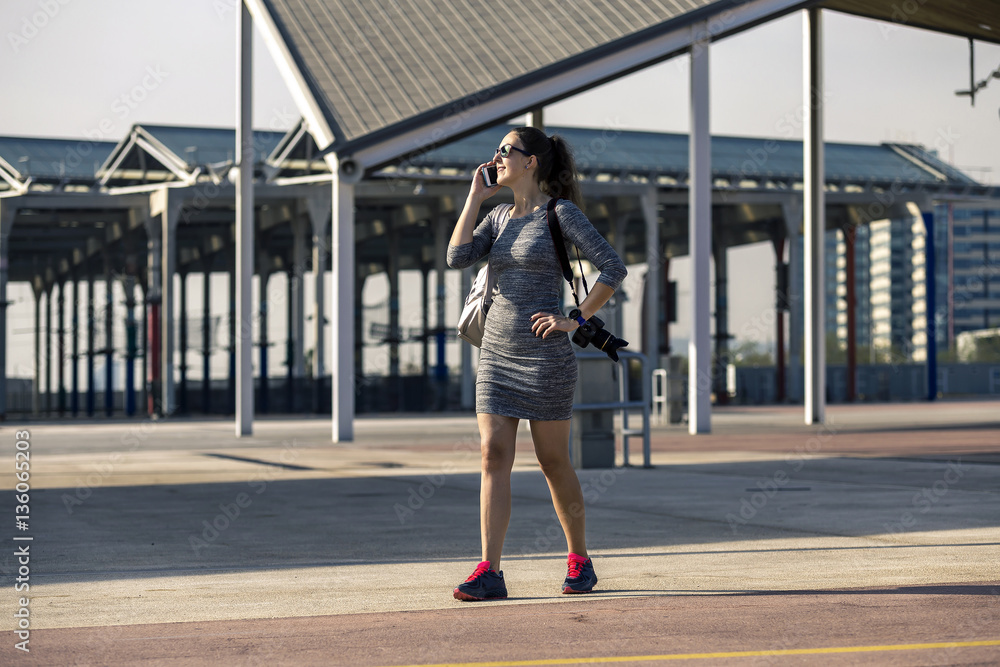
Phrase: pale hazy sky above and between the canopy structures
[70,68]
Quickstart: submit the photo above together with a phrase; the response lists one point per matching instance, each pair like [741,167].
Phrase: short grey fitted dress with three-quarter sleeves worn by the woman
[522,375]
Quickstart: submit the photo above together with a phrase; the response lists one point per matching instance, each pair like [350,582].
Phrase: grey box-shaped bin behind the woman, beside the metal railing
[592,438]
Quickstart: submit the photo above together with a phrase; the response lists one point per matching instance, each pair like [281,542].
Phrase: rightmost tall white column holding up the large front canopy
[814,223]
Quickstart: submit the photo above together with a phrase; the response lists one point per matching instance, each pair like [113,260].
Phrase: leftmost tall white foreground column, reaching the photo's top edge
[244,223]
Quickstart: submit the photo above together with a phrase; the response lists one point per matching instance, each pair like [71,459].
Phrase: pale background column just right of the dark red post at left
[167,204]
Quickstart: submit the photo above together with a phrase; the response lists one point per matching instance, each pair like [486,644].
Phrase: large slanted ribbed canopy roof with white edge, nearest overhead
[378,81]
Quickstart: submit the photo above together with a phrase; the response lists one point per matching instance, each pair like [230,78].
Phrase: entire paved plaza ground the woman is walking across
[873,539]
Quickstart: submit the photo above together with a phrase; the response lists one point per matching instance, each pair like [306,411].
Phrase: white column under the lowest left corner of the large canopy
[342,308]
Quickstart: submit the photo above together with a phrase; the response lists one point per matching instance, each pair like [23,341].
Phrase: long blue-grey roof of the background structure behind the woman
[155,154]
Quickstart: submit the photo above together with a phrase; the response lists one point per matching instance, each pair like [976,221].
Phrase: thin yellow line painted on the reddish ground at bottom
[716,656]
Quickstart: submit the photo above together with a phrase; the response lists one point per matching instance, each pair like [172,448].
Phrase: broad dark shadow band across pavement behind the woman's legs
[136,531]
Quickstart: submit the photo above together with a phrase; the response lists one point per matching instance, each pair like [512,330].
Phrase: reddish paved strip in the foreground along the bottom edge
[589,627]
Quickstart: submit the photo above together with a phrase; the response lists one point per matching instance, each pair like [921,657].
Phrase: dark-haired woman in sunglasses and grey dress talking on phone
[527,368]
